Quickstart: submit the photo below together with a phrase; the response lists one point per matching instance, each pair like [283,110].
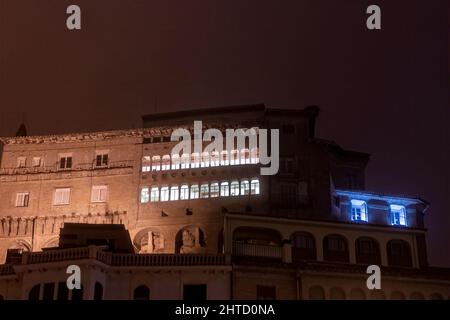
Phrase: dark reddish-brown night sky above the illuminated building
[383,92]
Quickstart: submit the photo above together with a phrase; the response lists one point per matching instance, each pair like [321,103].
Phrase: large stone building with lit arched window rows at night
[207,224]
